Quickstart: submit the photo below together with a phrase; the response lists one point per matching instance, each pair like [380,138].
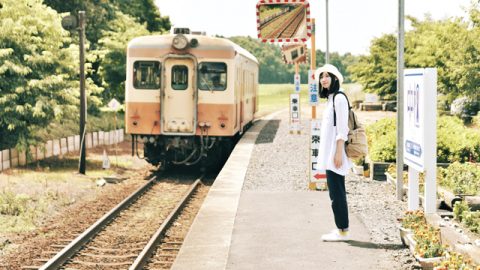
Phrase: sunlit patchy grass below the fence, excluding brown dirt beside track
[27,195]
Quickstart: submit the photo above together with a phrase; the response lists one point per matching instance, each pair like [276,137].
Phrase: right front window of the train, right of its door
[212,76]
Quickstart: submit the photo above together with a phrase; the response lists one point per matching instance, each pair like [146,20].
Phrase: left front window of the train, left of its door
[146,75]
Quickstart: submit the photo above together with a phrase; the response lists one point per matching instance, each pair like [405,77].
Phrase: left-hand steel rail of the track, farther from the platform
[58,260]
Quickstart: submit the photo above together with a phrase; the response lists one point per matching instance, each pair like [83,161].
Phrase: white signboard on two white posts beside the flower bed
[420,136]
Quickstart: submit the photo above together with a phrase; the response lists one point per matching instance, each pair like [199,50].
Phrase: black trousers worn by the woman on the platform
[338,196]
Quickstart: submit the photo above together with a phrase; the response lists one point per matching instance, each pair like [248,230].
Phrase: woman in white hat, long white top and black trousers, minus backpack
[332,157]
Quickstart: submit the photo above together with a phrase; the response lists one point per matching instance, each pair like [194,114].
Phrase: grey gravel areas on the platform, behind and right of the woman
[374,202]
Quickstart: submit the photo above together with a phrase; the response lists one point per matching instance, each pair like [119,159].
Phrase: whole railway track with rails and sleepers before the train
[141,226]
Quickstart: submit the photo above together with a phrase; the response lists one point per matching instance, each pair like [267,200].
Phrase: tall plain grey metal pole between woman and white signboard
[400,98]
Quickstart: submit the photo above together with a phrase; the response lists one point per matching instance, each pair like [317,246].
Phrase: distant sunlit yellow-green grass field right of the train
[274,97]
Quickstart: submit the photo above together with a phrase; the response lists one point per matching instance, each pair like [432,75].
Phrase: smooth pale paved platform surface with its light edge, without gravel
[238,228]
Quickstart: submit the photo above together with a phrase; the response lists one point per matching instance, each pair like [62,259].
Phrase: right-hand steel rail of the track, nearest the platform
[147,252]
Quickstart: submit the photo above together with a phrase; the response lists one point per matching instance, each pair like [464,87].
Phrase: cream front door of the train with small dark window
[179,97]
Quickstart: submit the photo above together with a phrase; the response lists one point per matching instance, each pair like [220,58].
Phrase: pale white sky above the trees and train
[352,23]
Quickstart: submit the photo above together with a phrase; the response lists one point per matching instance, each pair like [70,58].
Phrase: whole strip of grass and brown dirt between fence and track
[48,197]
